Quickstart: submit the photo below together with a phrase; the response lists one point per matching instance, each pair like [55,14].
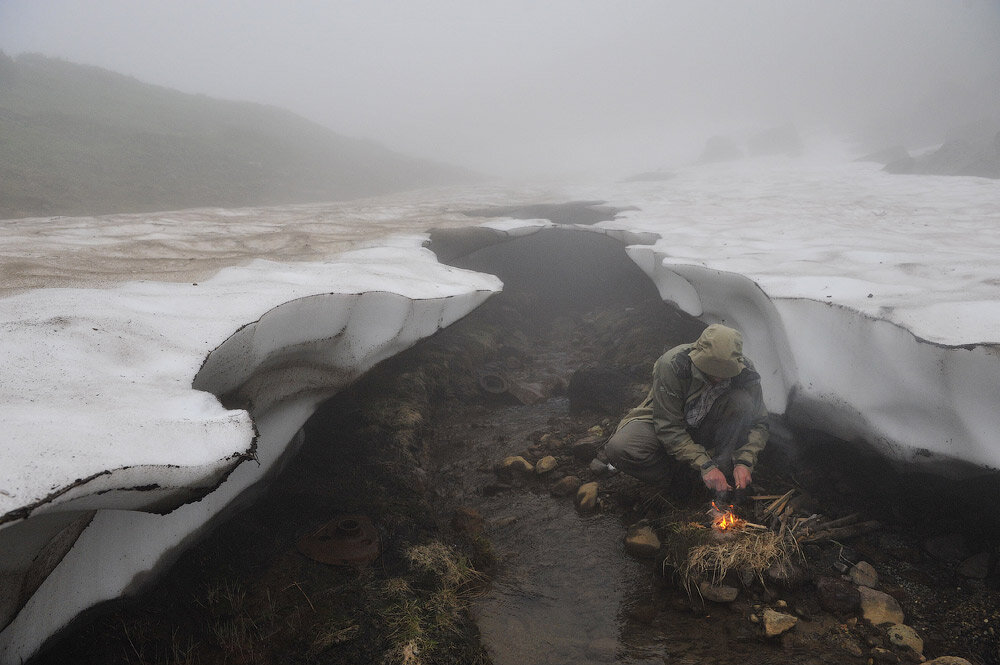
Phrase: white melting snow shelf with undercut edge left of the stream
[316,327]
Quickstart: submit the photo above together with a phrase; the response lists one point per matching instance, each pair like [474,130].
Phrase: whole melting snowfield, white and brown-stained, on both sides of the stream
[135,345]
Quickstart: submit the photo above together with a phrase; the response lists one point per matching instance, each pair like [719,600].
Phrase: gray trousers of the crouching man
[635,449]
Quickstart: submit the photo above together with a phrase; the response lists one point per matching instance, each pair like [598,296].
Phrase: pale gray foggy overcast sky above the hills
[525,87]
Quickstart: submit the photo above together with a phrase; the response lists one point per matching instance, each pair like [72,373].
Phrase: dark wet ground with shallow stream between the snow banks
[476,565]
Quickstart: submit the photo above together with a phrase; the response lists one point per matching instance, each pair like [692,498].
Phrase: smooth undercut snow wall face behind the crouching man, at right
[855,376]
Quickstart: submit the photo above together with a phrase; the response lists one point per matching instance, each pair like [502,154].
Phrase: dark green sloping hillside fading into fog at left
[82,140]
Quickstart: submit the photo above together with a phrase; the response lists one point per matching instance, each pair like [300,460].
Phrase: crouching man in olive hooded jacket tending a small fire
[705,409]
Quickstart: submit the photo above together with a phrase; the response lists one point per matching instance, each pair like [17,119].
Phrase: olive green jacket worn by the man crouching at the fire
[677,381]
